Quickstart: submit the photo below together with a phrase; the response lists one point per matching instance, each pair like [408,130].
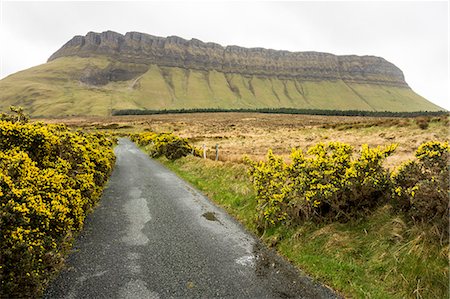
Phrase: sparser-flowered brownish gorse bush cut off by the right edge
[422,187]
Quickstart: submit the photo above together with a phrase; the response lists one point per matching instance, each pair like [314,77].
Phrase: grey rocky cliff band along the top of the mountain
[138,50]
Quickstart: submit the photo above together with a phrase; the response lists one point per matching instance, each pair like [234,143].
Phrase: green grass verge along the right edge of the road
[381,256]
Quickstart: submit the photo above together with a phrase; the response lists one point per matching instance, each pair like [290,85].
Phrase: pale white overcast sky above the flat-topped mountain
[412,35]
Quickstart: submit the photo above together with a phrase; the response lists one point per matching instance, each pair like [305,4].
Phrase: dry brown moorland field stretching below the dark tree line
[252,134]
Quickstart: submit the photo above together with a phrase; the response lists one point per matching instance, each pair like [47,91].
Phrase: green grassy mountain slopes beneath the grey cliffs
[53,89]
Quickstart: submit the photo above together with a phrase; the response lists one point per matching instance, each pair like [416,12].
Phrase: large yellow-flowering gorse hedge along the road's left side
[50,178]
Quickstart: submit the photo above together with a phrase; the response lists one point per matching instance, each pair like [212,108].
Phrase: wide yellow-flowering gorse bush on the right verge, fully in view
[325,184]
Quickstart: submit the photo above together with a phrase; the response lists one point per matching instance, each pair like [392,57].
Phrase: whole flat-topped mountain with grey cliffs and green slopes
[101,72]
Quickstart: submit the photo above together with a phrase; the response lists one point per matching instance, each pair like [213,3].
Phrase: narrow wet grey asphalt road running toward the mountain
[154,236]
